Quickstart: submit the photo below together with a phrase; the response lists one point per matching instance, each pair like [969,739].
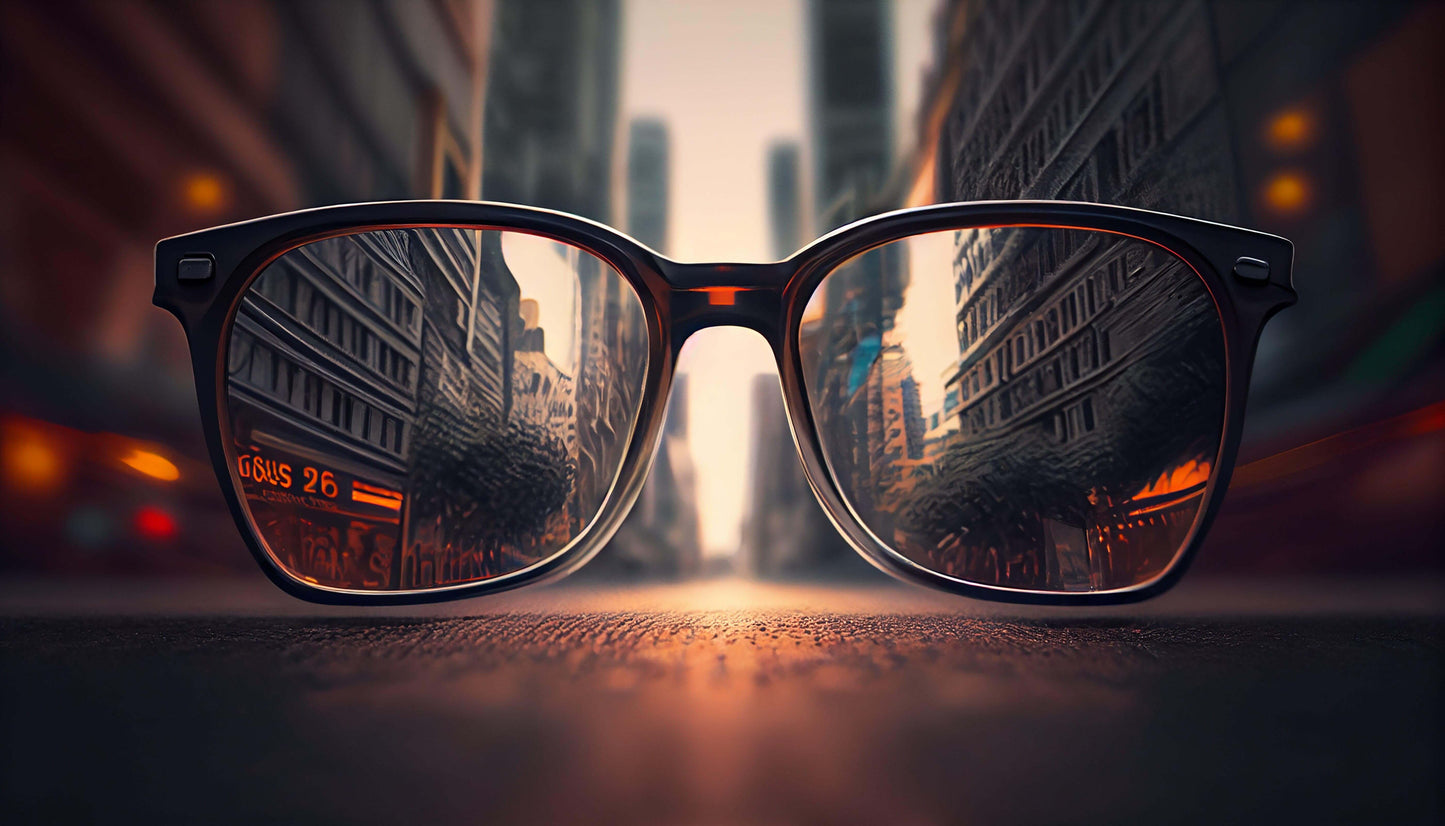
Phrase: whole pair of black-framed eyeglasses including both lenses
[1025,402]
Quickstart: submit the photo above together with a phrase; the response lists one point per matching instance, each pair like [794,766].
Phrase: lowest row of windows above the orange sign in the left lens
[256,366]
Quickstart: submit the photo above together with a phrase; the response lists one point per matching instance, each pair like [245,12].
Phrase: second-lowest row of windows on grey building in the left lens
[290,290]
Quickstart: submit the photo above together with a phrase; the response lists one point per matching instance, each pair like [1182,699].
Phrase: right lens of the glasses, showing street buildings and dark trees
[1022,408]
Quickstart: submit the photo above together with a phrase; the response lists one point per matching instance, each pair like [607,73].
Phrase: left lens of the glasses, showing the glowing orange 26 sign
[427,408]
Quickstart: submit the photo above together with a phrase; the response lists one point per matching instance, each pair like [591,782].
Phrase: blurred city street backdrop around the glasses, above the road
[716,131]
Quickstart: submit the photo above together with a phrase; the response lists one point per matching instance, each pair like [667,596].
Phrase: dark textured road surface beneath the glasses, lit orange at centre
[725,703]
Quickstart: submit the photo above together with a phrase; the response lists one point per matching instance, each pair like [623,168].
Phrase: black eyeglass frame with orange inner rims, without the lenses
[1248,274]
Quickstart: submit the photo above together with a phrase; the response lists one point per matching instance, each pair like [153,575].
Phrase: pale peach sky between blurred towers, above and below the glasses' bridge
[729,77]
